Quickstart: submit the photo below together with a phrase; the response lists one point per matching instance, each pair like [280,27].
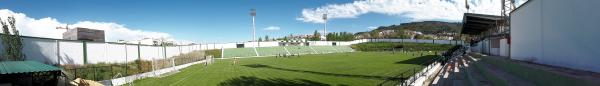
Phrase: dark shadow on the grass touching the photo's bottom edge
[254,81]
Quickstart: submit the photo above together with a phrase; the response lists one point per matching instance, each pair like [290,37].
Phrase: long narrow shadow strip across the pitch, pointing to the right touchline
[323,73]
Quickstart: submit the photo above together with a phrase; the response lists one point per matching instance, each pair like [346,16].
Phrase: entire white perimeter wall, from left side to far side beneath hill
[54,51]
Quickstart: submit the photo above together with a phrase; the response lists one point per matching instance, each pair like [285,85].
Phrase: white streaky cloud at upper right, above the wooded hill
[416,10]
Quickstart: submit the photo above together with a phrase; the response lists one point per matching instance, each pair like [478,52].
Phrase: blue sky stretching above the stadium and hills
[229,20]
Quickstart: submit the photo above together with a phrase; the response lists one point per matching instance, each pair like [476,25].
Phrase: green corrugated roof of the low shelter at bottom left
[11,67]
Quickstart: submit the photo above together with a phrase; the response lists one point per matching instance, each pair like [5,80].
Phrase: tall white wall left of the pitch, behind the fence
[58,51]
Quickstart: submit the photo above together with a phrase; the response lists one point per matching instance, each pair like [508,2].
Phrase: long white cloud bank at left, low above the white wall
[46,28]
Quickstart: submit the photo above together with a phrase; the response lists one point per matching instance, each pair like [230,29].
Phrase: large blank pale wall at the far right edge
[557,32]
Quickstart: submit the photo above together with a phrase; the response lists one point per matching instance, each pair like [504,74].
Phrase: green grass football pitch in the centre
[355,69]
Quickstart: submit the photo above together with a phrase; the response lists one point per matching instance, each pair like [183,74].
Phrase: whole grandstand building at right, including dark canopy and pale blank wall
[561,33]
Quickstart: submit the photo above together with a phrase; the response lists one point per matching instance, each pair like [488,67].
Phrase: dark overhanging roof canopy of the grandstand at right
[474,24]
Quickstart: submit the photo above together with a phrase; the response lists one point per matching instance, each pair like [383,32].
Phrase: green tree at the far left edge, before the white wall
[12,43]
